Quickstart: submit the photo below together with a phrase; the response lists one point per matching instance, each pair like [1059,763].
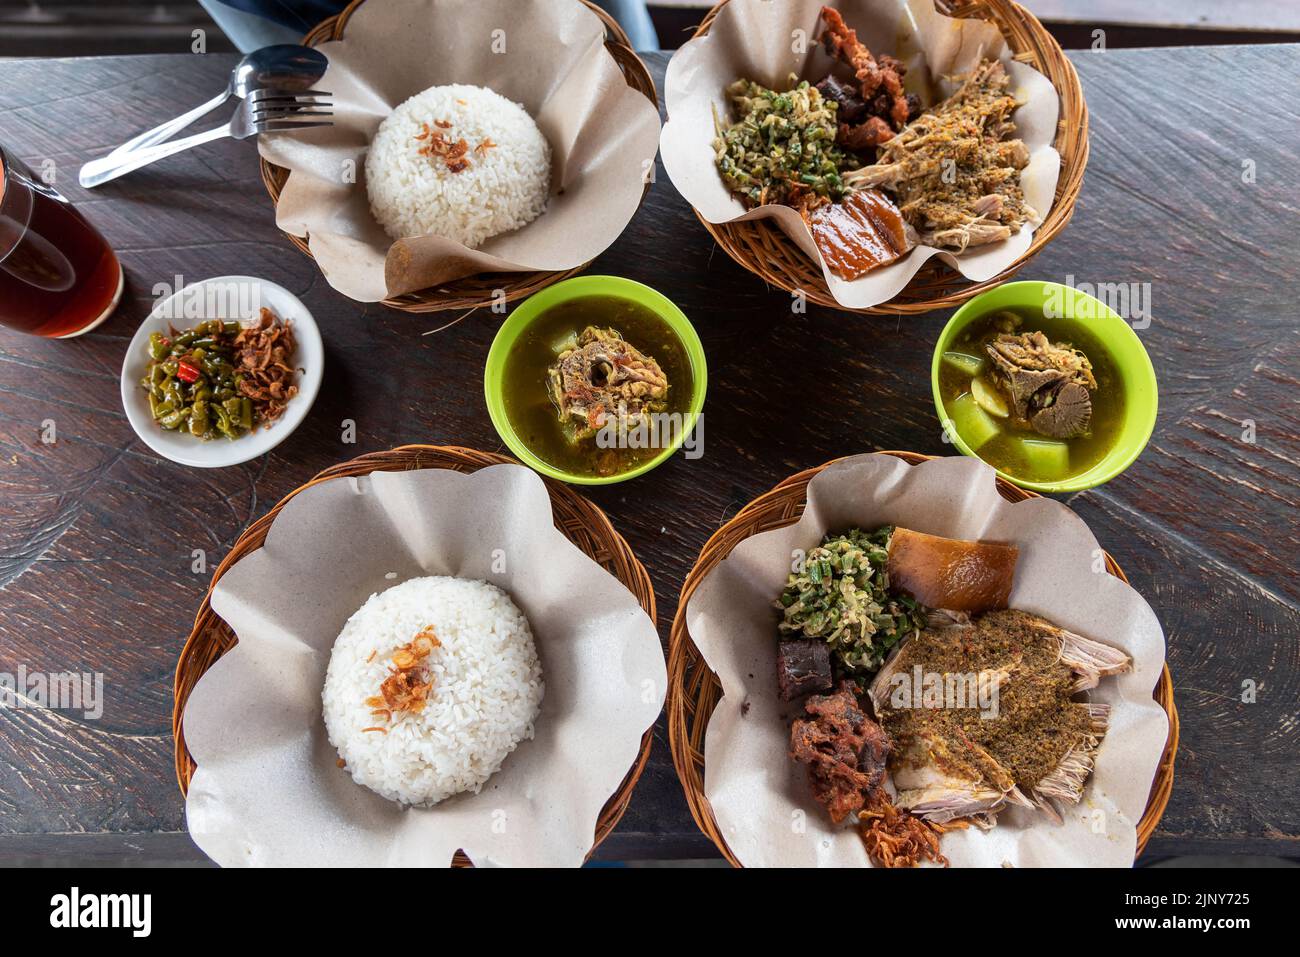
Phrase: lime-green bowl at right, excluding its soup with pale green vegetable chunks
[1124,349]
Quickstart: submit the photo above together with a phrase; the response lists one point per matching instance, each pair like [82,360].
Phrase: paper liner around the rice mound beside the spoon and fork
[548,55]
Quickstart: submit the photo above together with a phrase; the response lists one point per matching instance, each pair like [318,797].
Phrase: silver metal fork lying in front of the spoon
[266,111]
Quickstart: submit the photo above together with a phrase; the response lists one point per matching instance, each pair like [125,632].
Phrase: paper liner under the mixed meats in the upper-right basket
[766,42]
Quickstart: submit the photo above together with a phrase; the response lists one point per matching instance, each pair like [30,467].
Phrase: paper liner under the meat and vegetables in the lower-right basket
[762,799]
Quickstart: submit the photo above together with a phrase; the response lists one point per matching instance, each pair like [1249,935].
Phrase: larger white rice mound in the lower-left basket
[487,690]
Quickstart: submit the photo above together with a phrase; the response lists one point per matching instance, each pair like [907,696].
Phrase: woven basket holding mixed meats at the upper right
[766,252]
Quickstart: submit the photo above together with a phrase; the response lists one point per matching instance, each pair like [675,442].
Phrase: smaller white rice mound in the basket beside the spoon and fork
[504,188]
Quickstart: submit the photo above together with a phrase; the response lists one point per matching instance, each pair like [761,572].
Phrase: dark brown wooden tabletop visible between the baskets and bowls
[98,534]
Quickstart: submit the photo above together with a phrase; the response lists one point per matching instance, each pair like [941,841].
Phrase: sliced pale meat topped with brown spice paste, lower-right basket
[1037,747]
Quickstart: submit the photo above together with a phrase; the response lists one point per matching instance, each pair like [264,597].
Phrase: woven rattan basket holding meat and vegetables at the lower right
[694,690]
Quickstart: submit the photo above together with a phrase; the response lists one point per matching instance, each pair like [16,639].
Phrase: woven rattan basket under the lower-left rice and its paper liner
[582,523]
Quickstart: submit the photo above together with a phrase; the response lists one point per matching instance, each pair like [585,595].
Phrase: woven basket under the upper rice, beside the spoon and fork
[478,291]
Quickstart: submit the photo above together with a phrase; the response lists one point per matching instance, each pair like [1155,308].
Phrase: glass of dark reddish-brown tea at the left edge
[58,275]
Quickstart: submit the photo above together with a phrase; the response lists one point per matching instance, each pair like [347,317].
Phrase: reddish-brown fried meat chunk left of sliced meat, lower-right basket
[844,750]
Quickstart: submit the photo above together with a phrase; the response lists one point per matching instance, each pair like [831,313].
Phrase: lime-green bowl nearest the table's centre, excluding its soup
[582,288]
